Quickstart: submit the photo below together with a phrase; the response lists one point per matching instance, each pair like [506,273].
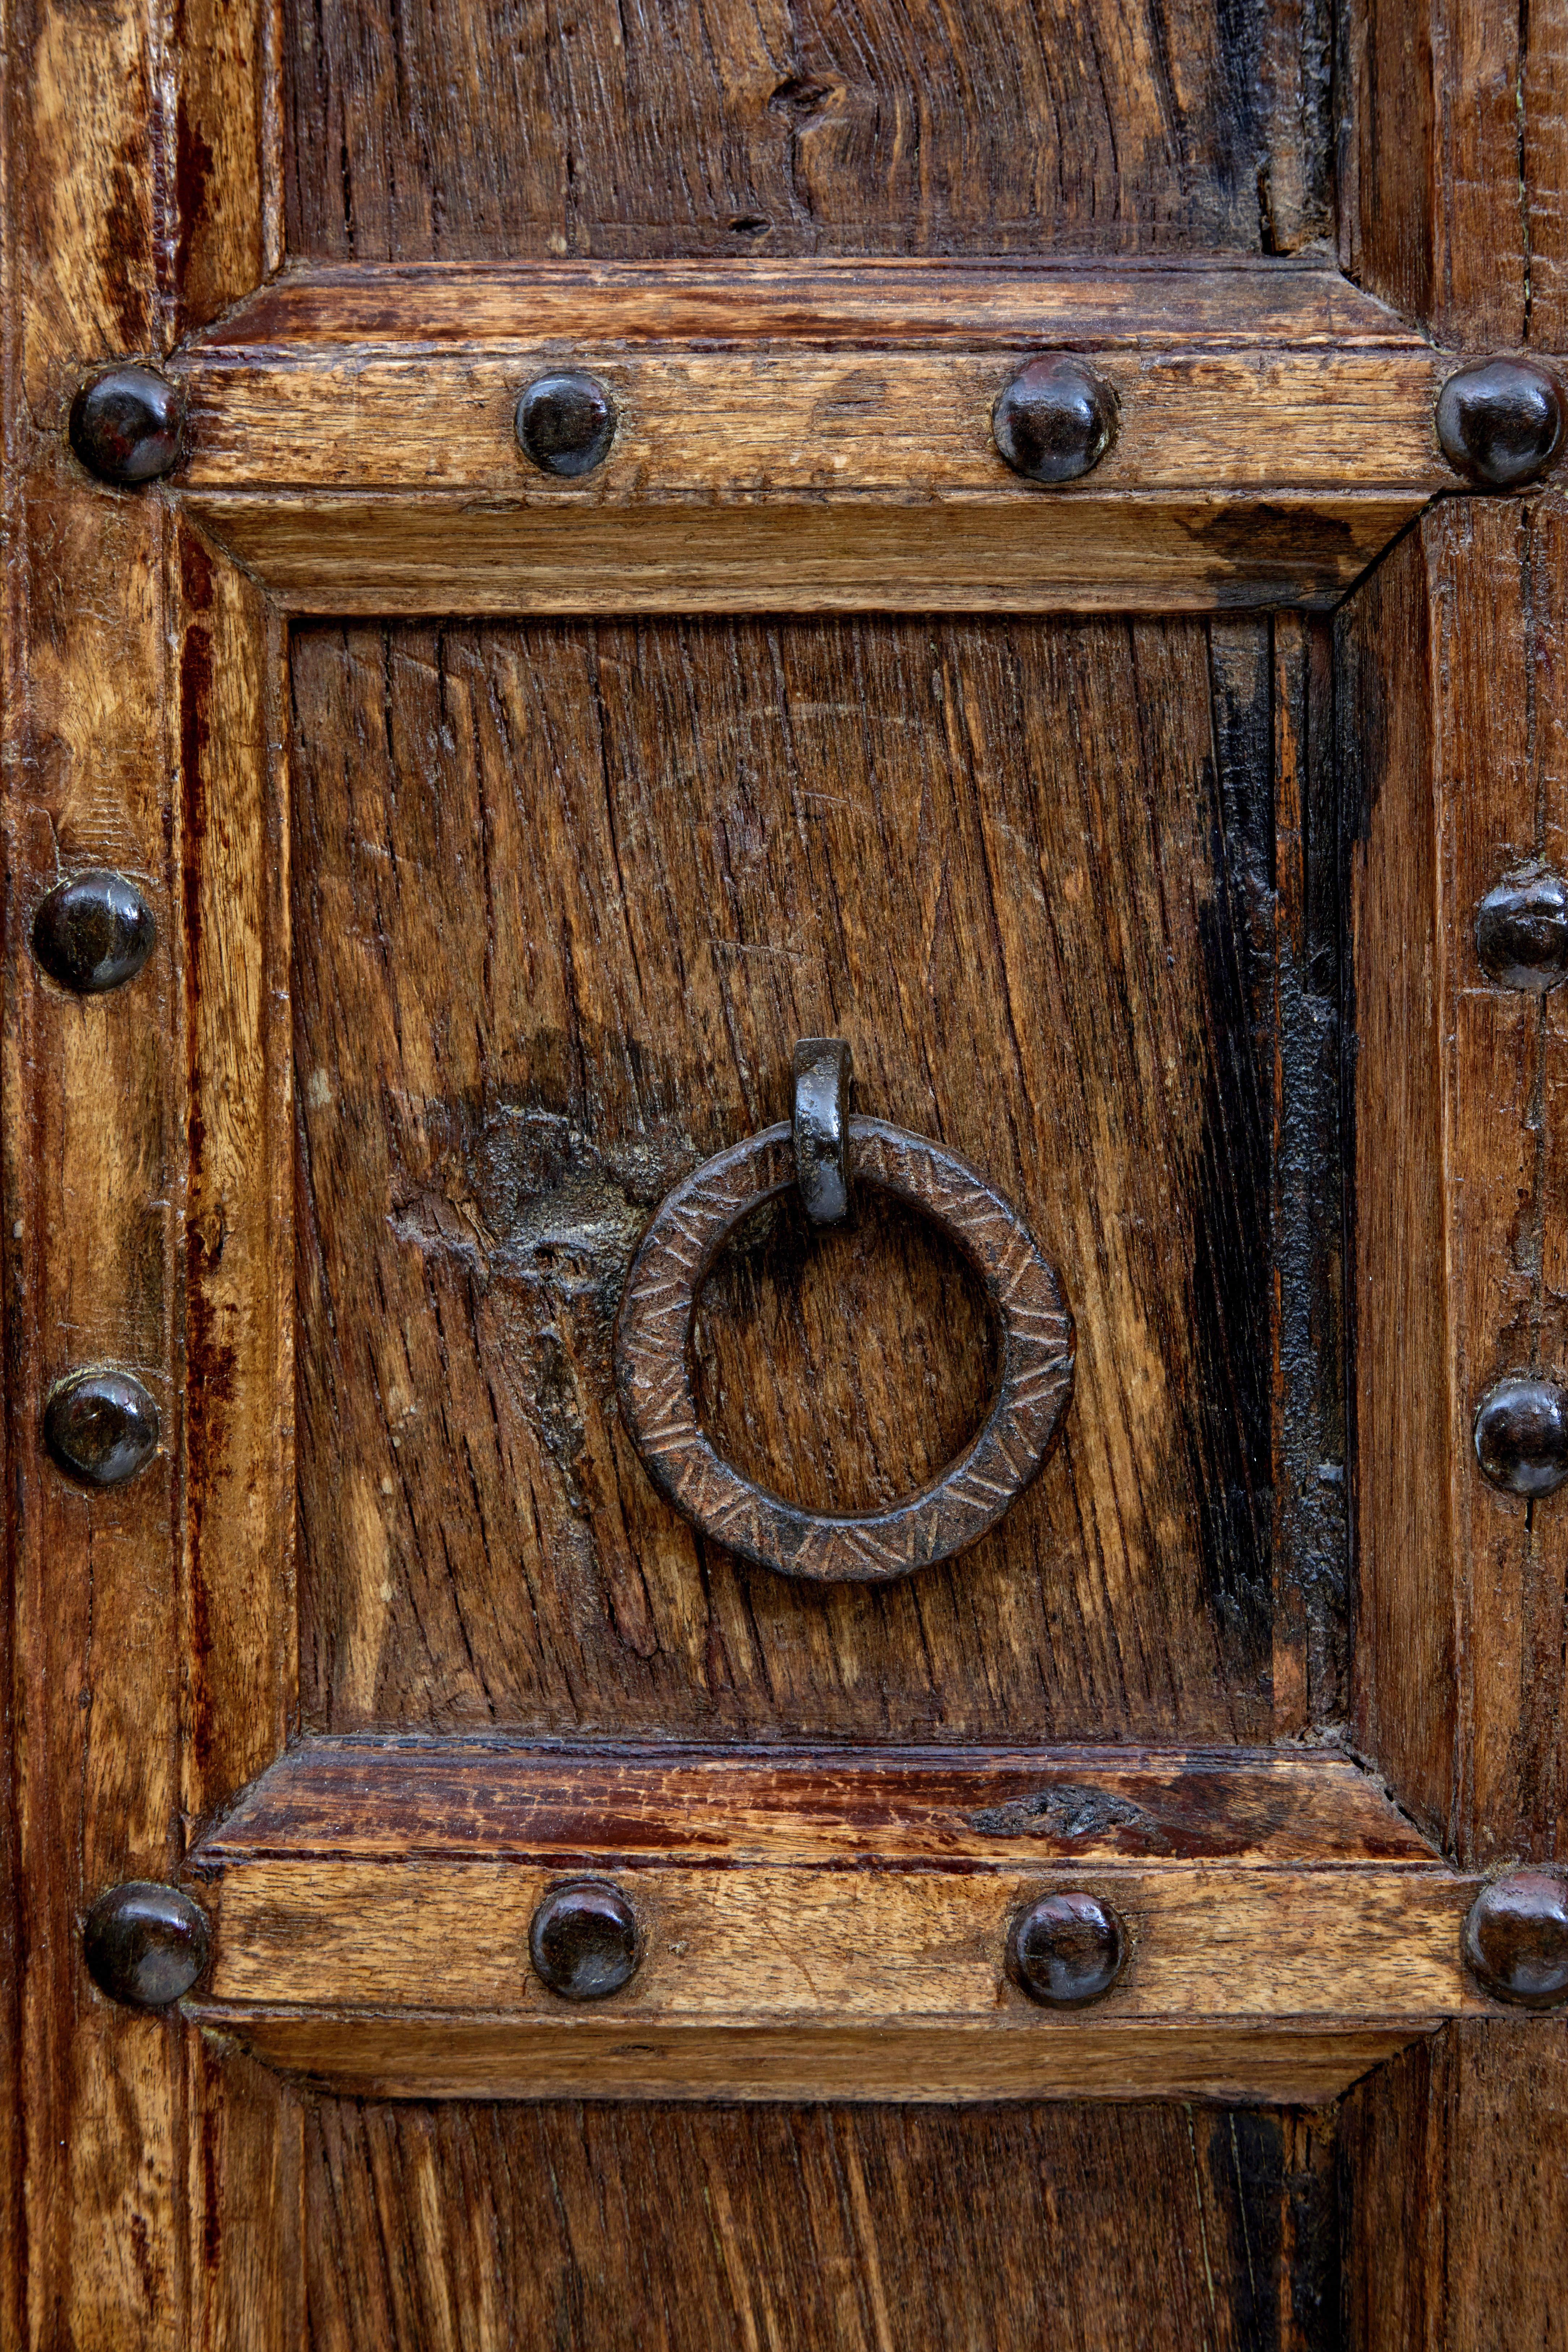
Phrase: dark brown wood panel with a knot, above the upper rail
[706,128]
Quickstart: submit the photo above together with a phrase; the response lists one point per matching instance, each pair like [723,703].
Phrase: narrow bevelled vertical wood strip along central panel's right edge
[1402,1443]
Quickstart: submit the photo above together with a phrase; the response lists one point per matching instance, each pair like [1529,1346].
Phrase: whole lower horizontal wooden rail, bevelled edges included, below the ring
[824,1925]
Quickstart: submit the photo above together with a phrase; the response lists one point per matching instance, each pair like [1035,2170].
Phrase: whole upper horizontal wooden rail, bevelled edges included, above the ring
[805,439]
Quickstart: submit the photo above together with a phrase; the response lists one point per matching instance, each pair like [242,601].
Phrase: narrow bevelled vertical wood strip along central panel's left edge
[239,1323]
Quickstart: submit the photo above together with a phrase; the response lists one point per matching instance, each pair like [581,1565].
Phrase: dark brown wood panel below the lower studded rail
[808,2229]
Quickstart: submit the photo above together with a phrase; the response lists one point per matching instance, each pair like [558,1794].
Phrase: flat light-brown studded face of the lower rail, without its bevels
[831,1949]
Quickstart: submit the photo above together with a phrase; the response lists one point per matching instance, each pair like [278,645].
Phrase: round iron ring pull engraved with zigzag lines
[655,1361]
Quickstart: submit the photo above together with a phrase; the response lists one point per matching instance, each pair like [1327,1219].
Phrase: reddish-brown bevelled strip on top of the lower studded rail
[389,1798]
